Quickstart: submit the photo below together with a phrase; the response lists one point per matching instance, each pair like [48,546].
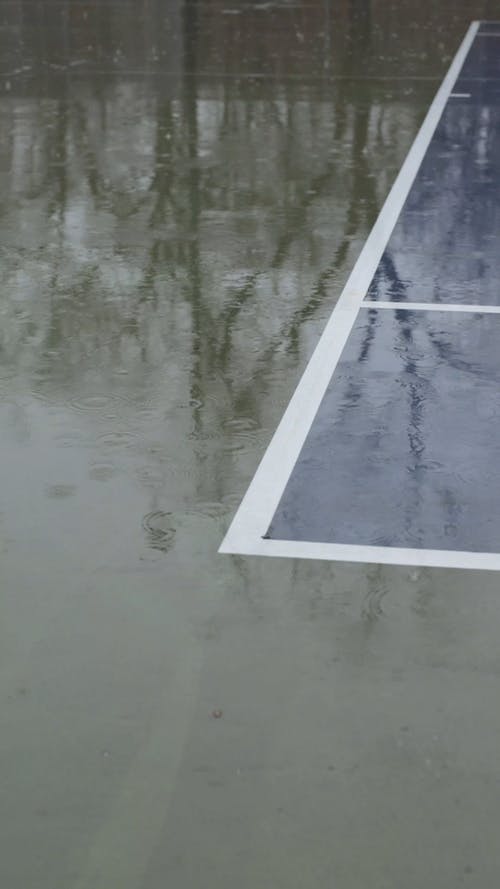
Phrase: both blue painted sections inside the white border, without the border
[404,450]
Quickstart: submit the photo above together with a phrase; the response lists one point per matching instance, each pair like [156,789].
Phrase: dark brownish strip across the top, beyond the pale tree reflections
[261,39]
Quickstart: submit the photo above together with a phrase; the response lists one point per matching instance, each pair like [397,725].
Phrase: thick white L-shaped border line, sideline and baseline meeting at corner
[261,500]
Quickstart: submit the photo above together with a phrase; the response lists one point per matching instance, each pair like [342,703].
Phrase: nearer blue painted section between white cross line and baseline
[405,447]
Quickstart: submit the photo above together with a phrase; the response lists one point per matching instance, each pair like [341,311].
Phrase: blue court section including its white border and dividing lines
[390,448]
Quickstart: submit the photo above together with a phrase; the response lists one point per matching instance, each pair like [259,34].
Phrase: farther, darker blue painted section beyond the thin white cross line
[444,246]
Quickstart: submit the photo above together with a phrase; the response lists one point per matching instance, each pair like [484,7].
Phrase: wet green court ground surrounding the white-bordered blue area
[184,190]
